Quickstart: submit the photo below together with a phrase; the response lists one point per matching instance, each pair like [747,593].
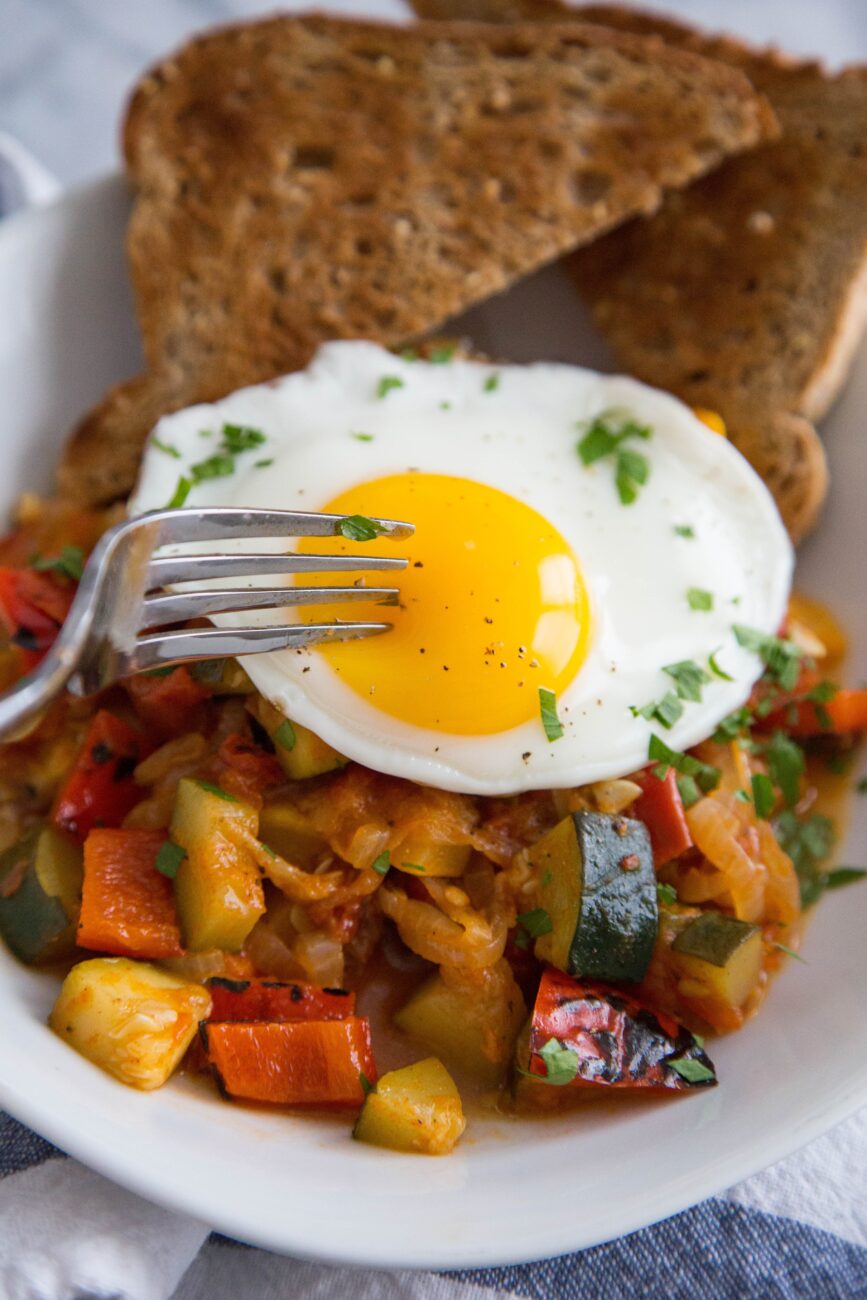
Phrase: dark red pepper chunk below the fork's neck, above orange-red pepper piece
[101,790]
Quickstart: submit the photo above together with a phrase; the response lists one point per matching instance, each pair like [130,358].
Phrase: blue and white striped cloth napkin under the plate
[68,1234]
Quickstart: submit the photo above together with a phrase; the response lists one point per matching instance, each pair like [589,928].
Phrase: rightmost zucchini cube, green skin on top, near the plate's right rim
[721,955]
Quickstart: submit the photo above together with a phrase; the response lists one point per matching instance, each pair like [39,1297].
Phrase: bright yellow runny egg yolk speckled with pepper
[493,606]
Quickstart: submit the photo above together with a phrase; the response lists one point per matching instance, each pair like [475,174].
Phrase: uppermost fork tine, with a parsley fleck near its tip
[202,525]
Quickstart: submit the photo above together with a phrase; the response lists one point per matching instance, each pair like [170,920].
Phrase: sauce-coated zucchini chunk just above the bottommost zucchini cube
[474,1034]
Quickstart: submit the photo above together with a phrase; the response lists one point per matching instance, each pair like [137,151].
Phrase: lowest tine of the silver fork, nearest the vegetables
[167,648]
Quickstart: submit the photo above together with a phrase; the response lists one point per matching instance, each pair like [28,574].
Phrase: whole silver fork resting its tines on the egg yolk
[122,599]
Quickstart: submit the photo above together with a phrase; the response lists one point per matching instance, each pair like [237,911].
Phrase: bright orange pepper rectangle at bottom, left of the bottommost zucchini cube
[302,1064]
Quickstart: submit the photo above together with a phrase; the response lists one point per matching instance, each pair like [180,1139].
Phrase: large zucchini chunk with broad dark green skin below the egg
[599,889]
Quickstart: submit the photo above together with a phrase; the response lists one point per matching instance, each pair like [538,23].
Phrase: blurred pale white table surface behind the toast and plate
[67,66]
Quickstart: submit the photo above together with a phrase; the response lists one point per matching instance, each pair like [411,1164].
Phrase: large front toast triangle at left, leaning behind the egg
[314,179]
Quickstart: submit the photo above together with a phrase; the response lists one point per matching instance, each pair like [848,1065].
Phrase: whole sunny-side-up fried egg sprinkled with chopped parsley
[576,536]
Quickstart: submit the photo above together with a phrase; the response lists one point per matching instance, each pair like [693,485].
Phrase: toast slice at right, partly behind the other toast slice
[749,292]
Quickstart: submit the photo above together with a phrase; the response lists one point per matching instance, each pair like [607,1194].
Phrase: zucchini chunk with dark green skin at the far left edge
[41,886]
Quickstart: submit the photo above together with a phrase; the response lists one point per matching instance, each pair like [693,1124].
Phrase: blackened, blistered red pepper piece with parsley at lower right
[587,1035]
